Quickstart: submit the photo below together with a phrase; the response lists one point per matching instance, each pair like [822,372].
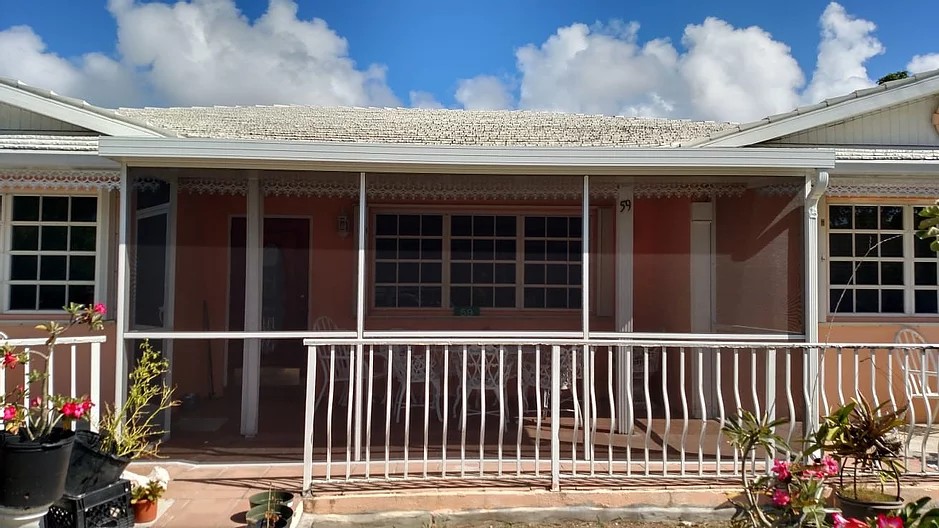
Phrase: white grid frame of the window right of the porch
[909,259]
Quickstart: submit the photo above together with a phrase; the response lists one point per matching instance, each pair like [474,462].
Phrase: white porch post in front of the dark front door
[251,364]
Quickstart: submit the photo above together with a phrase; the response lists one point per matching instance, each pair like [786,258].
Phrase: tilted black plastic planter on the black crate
[90,468]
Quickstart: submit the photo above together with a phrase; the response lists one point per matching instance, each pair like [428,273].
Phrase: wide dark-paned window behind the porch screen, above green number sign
[477,260]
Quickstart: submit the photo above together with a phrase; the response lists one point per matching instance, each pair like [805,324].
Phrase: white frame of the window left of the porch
[100,253]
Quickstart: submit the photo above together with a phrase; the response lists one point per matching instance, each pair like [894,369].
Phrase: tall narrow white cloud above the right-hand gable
[847,43]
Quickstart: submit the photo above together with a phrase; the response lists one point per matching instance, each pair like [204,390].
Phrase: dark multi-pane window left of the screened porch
[51,243]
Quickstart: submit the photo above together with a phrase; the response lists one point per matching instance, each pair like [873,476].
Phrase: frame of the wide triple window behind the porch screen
[519,212]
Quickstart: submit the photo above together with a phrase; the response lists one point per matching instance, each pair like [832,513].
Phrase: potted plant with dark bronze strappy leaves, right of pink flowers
[865,440]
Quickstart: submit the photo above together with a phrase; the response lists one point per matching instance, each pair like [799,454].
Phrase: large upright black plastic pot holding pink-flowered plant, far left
[32,473]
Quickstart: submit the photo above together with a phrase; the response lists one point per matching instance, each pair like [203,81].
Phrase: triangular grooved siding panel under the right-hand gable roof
[908,124]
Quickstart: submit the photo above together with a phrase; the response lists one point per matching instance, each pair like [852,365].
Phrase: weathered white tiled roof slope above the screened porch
[420,126]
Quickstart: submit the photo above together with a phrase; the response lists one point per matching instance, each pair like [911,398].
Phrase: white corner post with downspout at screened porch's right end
[815,187]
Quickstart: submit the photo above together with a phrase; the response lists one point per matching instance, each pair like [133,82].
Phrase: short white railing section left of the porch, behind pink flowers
[69,354]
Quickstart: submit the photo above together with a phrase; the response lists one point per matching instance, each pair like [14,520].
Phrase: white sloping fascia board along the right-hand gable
[815,117]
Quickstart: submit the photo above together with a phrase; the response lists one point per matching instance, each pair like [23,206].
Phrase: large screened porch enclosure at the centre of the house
[230,271]
